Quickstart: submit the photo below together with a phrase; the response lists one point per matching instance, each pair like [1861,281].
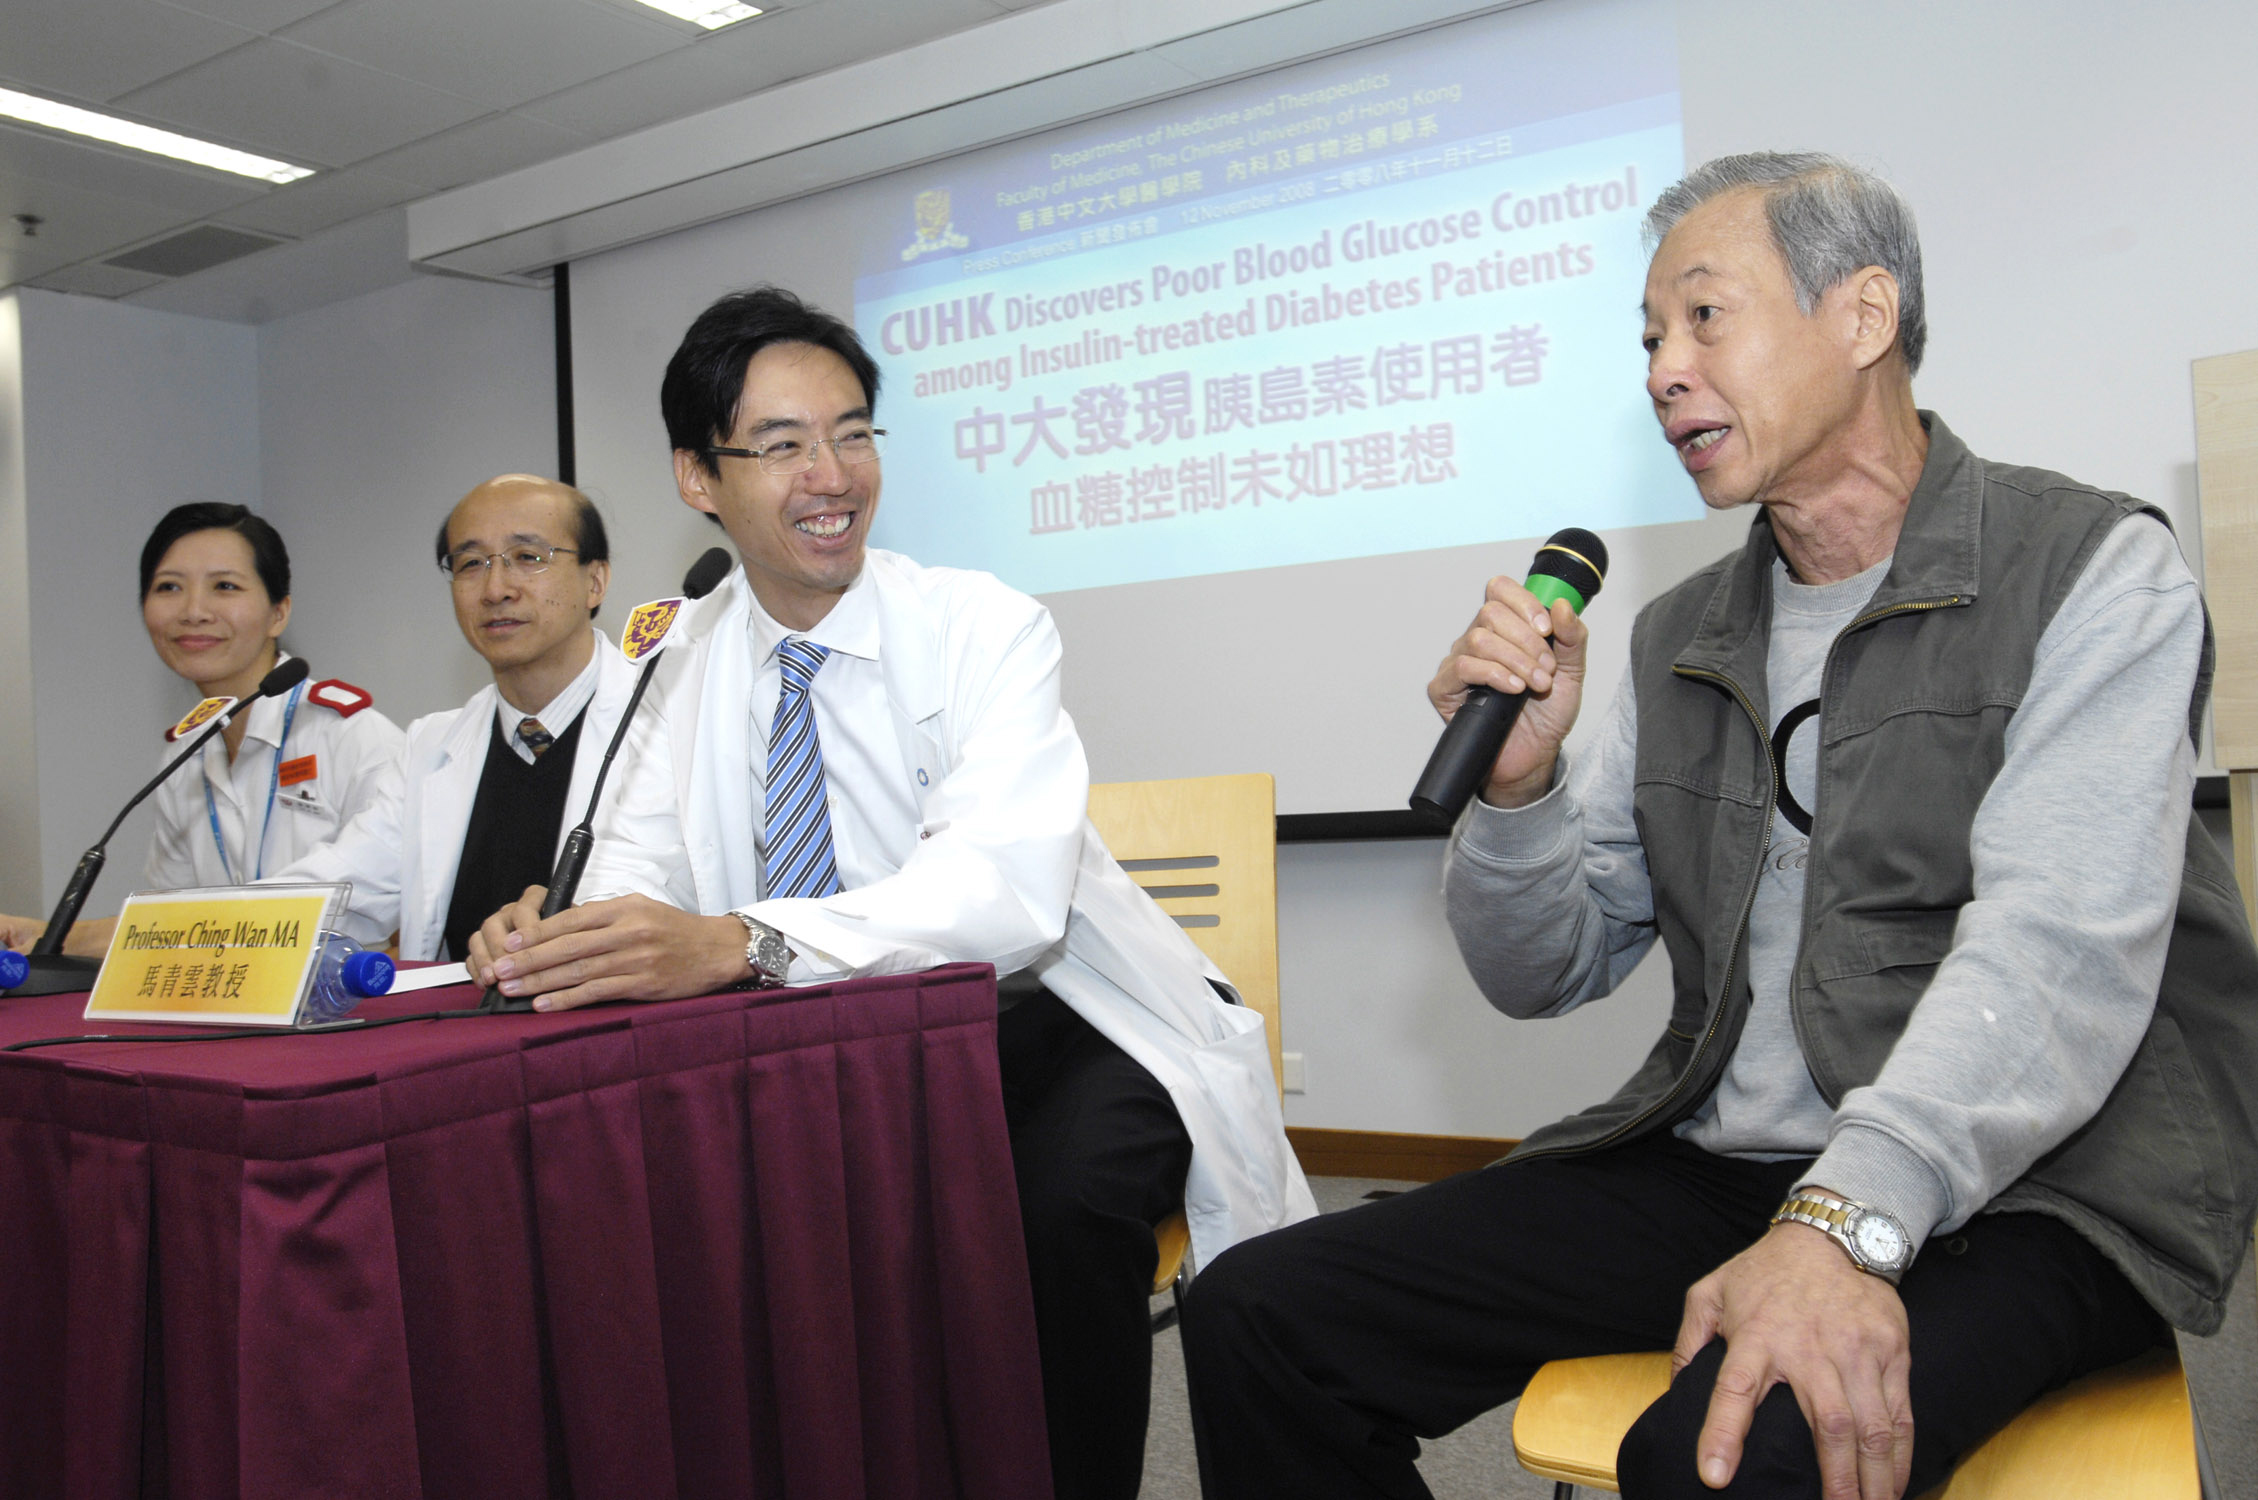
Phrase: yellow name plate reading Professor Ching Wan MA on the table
[216,954]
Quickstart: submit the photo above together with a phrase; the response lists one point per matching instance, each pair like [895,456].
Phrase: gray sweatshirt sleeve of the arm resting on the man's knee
[2056,961]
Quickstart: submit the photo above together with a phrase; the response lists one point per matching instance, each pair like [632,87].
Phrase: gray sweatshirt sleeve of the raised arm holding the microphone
[1550,902]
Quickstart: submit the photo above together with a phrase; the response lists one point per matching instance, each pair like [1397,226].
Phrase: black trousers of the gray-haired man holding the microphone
[1324,1352]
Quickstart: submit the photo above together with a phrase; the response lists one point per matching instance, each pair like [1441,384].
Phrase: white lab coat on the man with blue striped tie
[1006,869]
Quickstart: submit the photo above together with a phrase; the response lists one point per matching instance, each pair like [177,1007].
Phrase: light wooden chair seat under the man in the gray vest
[2124,1431]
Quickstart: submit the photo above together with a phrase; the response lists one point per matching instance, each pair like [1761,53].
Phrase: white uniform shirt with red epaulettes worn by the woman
[335,767]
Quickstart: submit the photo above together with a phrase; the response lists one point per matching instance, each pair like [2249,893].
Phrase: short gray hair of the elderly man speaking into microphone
[1828,220]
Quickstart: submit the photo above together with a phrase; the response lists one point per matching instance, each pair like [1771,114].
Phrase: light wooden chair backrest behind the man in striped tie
[1207,851]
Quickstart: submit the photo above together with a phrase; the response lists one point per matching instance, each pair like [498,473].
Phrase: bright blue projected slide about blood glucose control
[1376,304]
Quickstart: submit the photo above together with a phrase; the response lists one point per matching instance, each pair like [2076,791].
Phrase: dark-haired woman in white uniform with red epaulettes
[288,774]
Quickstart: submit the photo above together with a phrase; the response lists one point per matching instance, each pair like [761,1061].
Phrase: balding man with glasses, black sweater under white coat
[493,787]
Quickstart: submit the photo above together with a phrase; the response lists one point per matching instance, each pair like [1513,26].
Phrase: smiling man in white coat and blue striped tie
[857,765]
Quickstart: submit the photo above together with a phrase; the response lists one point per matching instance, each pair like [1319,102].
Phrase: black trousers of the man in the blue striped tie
[1101,1160]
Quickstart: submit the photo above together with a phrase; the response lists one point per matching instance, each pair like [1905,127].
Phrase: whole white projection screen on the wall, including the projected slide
[1254,387]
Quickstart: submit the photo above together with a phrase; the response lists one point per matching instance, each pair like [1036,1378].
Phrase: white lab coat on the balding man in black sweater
[405,855]
